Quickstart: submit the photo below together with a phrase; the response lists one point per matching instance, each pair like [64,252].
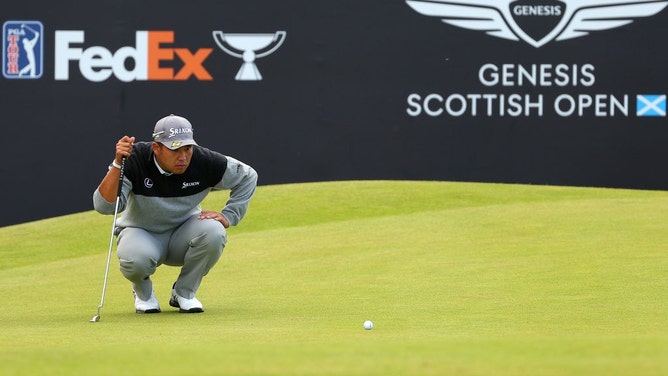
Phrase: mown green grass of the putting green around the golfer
[459,279]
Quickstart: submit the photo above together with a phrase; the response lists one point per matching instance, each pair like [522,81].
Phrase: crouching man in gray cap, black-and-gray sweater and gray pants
[162,221]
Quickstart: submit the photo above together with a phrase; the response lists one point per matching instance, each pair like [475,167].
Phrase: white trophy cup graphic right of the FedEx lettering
[249,47]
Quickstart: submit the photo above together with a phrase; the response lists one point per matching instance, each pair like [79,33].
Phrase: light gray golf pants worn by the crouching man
[196,246]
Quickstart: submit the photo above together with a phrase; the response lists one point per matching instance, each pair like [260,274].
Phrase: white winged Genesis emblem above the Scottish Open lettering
[538,22]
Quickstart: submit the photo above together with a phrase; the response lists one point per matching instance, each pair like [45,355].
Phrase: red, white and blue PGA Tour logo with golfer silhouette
[22,49]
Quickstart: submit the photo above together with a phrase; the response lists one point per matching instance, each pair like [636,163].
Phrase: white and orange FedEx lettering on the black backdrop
[152,56]
